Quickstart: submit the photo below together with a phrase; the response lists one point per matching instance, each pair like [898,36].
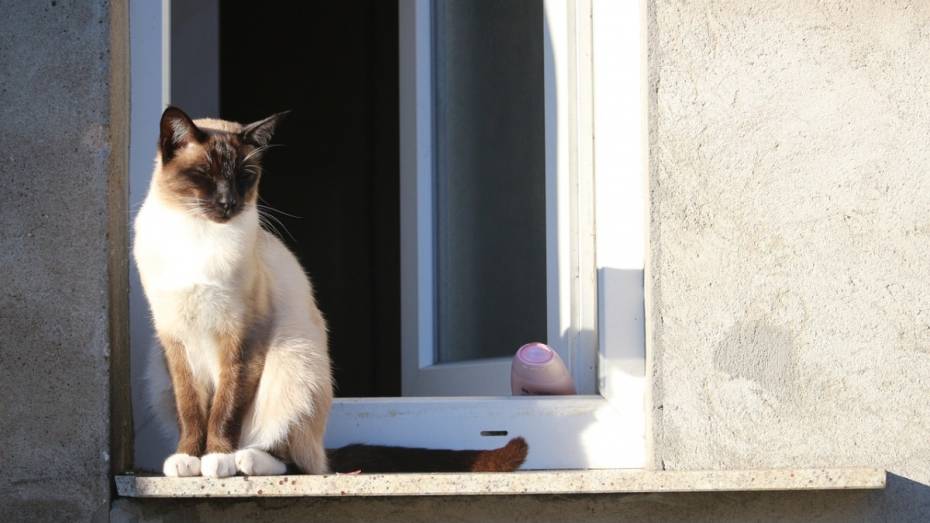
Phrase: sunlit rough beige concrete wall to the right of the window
[790,269]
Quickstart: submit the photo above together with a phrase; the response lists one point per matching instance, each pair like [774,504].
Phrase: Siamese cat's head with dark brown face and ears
[211,168]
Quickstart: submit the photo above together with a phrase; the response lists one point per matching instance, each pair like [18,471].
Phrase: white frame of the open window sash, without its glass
[570,273]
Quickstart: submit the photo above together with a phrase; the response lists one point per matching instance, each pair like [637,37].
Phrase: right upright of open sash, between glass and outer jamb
[570,243]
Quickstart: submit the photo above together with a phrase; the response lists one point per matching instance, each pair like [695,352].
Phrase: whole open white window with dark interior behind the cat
[456,195]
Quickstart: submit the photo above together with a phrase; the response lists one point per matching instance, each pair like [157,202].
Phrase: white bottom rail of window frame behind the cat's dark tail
[567,432]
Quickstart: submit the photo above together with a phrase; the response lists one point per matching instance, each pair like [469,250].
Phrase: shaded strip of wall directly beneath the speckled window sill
[640,508]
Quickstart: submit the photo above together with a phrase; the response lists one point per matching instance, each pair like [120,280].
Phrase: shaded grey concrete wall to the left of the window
[59,209]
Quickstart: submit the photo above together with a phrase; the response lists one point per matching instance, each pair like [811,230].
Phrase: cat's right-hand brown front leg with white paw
[236,388]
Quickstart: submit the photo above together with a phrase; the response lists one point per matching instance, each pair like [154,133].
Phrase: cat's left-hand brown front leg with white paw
[192,418]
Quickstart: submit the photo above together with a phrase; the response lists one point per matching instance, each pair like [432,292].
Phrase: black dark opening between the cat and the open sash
[334,64]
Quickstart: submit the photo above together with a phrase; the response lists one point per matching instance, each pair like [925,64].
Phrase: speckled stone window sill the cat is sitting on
[524,482]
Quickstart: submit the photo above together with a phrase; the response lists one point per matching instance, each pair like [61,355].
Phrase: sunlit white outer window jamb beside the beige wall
[620,152]
